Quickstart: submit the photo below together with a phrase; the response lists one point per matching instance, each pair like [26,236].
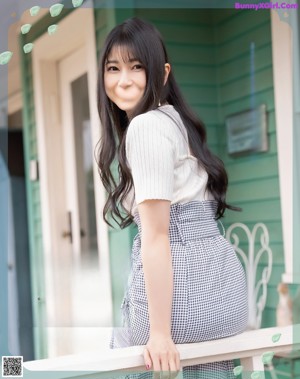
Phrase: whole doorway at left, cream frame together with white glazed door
[77,272]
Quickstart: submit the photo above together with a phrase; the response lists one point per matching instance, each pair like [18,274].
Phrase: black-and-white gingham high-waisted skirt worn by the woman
[209,293]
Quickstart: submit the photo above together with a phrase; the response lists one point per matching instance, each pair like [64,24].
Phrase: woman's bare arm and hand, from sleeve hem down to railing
[160,353]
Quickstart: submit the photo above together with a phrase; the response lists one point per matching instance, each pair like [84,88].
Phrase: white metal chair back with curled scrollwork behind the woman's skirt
[251,260]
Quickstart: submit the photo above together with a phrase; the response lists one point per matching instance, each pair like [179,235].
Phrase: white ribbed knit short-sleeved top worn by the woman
[160,161]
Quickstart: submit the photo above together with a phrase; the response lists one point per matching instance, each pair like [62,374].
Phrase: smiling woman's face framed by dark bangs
[124,81]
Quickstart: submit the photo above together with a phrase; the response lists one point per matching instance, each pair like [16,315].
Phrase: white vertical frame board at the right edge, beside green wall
[285,55]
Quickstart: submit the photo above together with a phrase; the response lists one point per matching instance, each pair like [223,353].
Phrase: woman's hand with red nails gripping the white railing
[162,356]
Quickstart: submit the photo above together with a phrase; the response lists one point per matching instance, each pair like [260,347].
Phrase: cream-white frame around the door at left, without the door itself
[75,30]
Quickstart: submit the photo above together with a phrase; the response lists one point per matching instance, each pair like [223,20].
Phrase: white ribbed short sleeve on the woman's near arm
[151,154]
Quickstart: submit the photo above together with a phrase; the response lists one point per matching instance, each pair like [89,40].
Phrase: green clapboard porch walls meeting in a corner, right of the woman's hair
[222,60]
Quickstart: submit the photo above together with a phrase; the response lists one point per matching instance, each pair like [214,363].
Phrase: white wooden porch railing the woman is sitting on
[251,347]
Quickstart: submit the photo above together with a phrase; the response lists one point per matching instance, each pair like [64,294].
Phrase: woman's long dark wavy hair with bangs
[141,40]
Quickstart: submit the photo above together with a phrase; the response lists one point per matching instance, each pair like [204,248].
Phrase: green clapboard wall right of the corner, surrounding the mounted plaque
[245,79]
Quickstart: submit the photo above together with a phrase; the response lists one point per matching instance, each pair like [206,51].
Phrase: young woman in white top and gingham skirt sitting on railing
[186,283]
